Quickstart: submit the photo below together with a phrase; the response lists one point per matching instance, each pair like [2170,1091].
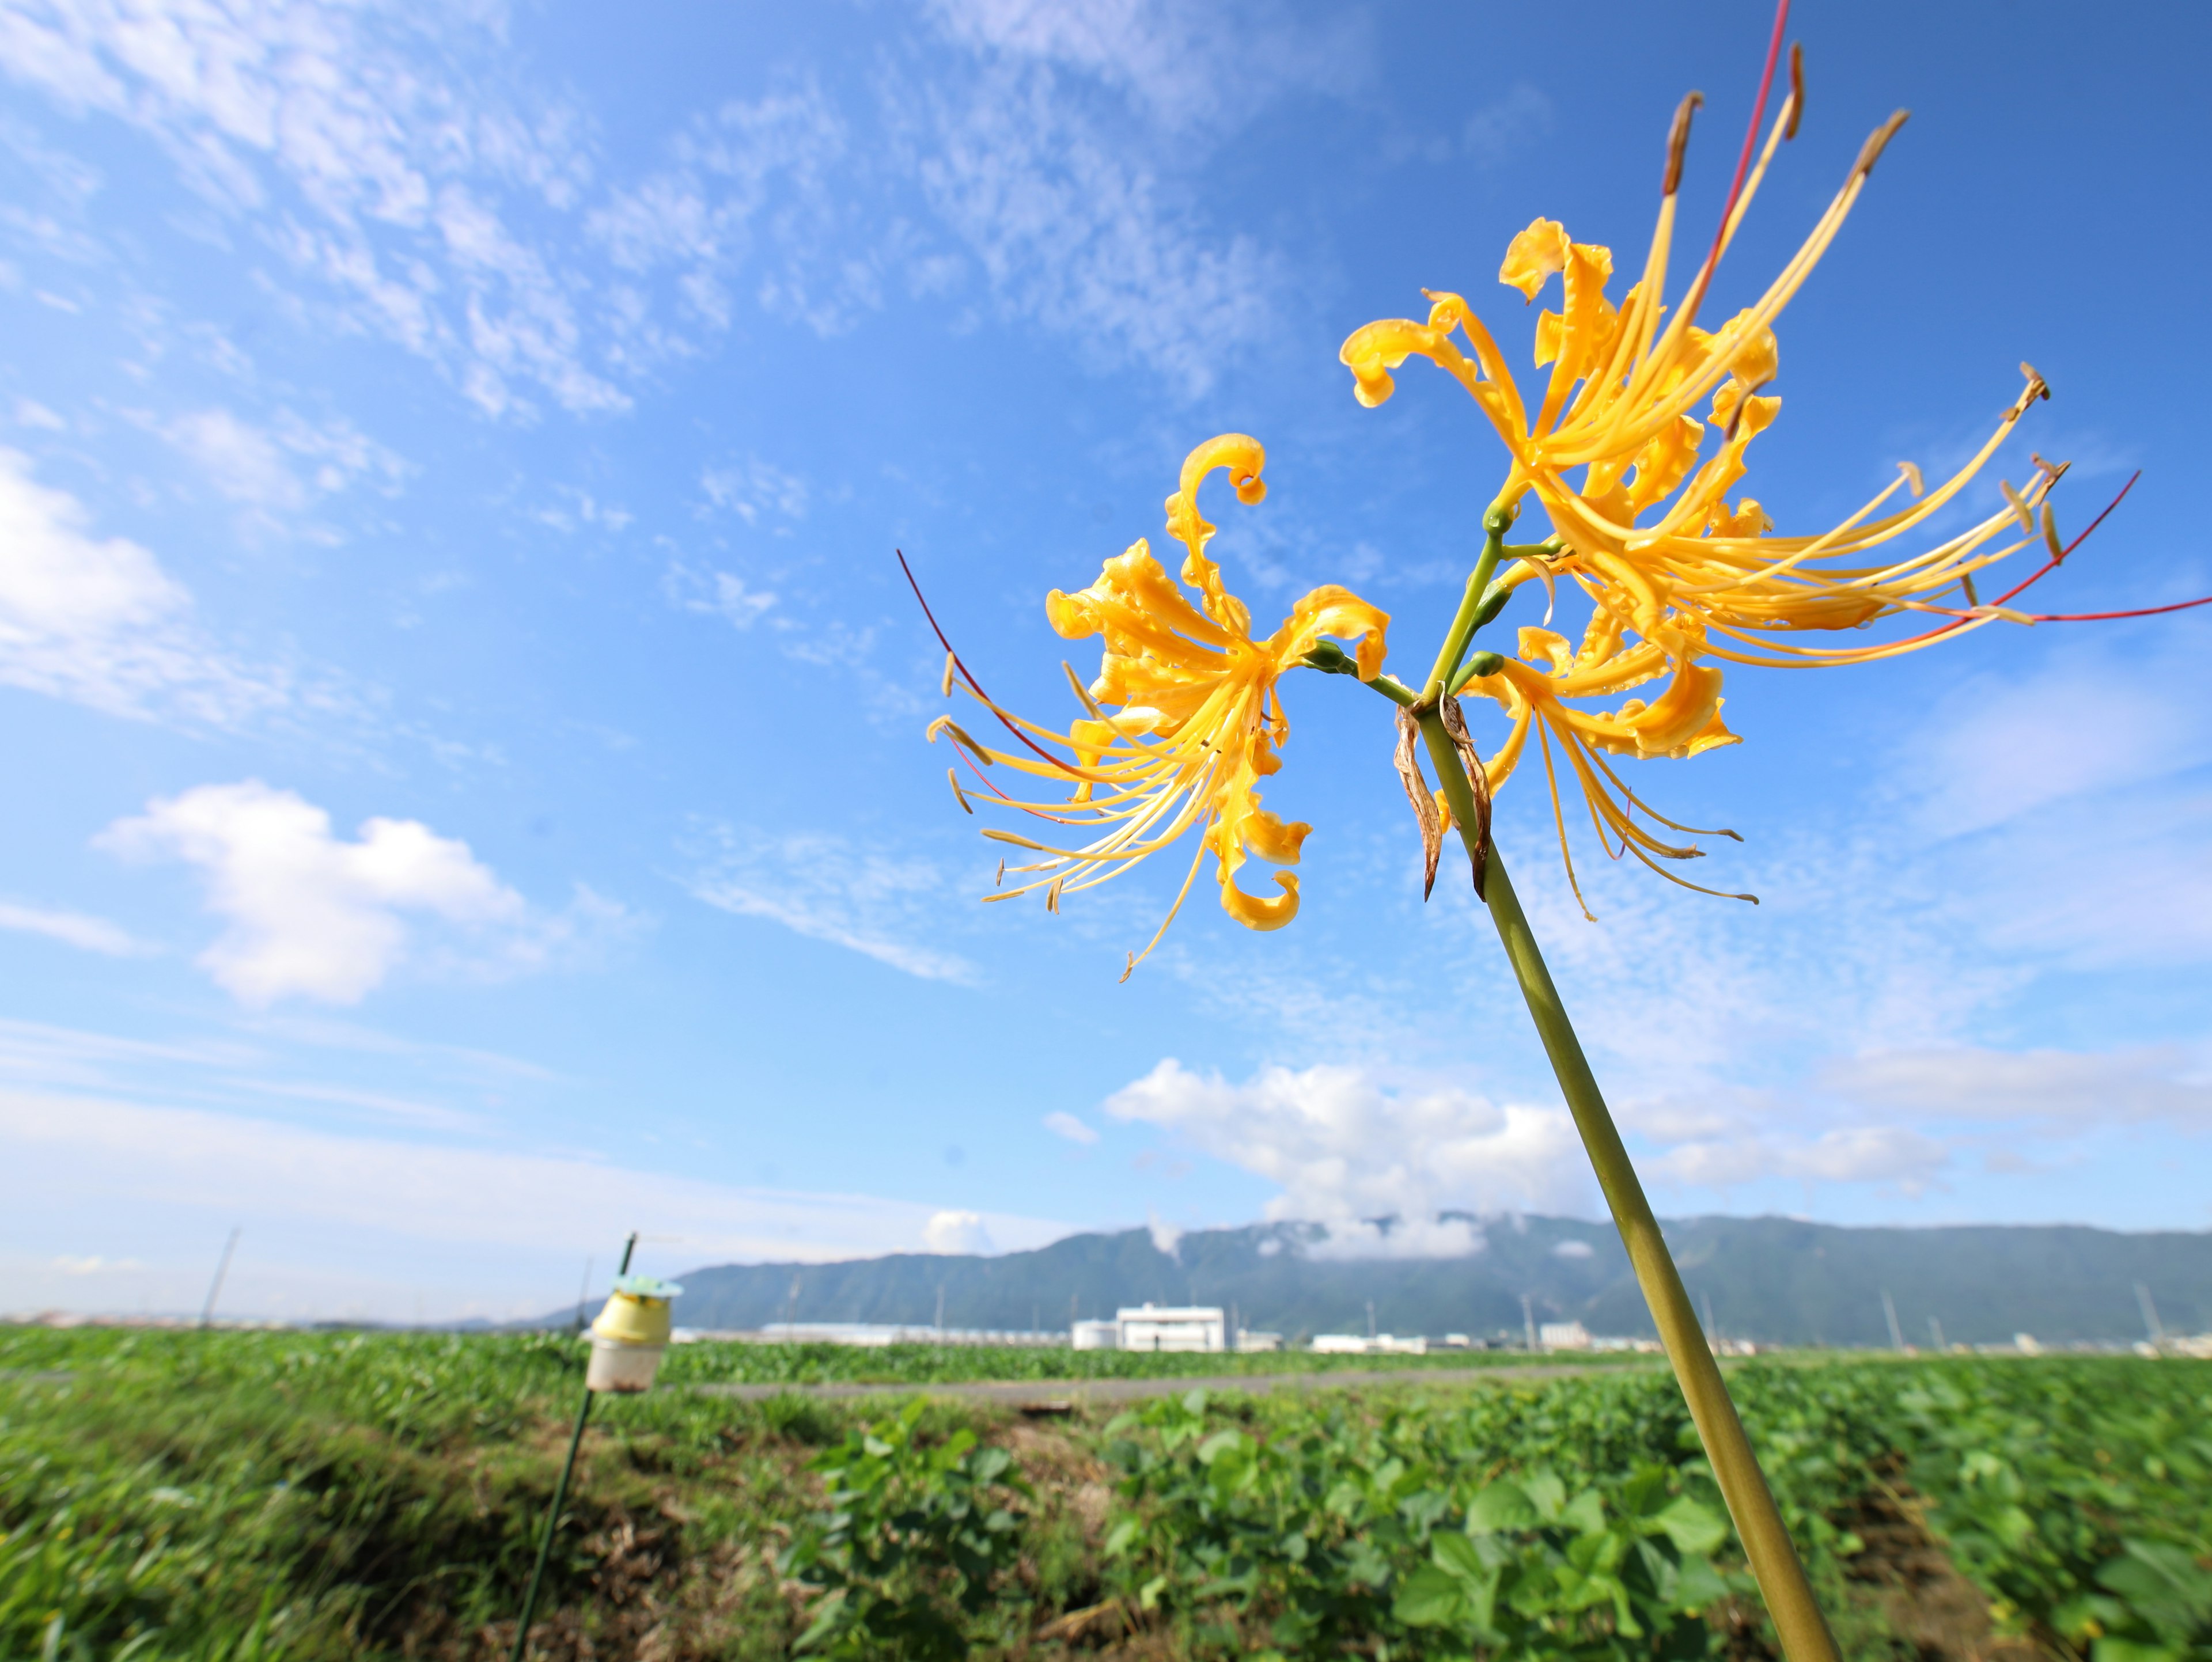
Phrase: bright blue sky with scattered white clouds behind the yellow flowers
[466,722]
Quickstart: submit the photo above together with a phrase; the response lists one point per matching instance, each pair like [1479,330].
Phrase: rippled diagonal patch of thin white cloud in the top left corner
[371,156]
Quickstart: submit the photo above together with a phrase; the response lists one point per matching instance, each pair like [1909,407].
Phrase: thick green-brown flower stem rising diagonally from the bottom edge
[1729,1451]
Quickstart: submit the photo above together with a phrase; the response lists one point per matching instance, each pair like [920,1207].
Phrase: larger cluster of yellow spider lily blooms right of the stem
[1678,574]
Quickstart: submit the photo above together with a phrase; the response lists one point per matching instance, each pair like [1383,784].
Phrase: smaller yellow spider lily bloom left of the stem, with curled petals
[1198,724]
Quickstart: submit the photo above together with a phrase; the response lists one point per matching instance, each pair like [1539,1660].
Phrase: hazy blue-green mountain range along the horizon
[1755,1279]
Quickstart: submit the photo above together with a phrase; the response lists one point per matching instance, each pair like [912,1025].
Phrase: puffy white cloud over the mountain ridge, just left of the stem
[1350,1150]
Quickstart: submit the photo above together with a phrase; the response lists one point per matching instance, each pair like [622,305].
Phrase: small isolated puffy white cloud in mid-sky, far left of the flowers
[309,914]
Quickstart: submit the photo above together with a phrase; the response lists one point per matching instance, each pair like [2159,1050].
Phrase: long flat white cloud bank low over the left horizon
[364,1226]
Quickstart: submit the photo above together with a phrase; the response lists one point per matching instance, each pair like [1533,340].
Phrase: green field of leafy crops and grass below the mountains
[291,1495]
